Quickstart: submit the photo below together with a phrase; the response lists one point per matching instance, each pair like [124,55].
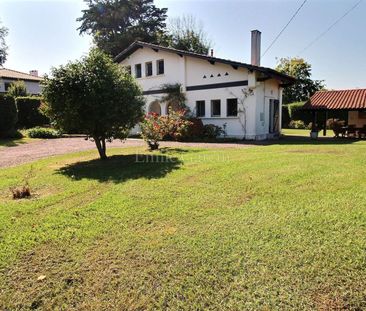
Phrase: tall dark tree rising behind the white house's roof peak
[115,24]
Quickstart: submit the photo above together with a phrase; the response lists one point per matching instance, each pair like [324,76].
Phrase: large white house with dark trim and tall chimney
[245,99]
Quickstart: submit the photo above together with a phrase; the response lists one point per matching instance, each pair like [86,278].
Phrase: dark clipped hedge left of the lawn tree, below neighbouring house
[29,113]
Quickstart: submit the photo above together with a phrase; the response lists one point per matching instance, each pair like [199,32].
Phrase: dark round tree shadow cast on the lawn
[120,168]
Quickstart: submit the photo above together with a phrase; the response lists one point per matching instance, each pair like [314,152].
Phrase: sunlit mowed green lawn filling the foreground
[278,227]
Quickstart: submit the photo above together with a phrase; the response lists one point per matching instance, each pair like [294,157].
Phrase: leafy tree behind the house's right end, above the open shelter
[304,86]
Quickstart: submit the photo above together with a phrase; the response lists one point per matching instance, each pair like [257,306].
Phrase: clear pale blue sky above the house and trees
[43,33]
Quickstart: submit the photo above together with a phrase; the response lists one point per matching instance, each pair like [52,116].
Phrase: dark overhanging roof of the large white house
[267,72]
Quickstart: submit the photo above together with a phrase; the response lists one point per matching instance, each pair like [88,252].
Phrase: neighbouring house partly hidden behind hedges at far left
[31,80]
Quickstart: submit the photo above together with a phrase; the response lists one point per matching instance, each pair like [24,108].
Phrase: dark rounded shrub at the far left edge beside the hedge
[8,115]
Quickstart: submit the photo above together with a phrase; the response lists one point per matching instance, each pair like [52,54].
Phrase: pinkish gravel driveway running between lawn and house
[11,156]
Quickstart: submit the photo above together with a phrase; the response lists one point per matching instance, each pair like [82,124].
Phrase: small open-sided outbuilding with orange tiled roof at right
[353,102]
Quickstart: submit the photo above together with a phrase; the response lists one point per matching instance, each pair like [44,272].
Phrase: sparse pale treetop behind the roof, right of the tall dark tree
[185,34]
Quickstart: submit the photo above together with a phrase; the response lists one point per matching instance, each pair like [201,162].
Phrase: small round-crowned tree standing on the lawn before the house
[94,96]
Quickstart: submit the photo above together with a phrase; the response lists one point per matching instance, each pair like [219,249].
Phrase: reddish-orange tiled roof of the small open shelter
[344,99]
